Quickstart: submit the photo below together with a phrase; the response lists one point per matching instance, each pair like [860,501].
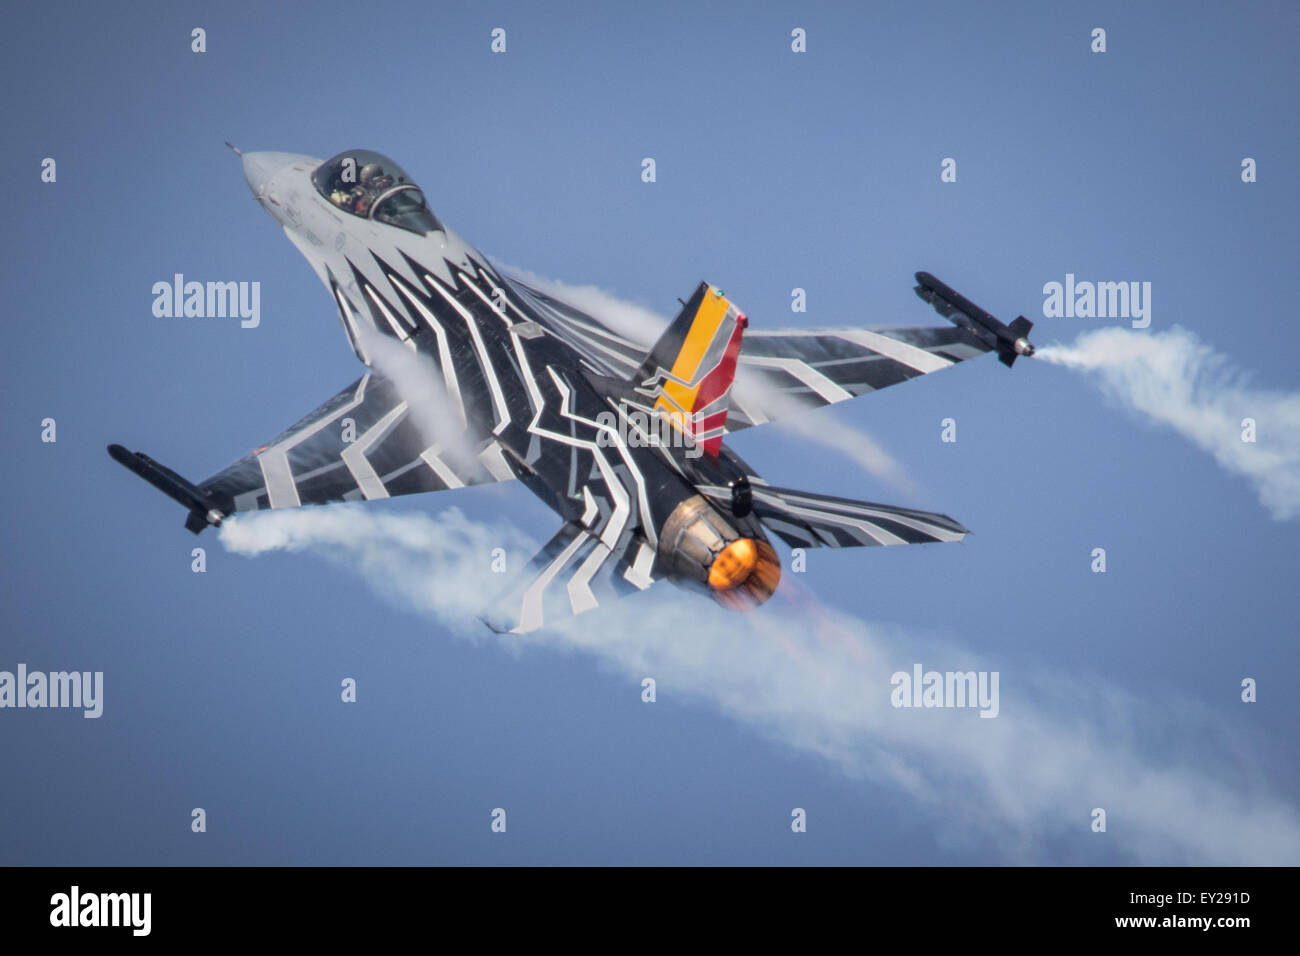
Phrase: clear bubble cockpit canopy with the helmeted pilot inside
[374,187]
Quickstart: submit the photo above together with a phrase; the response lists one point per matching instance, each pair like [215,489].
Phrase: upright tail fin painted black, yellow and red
[691,370]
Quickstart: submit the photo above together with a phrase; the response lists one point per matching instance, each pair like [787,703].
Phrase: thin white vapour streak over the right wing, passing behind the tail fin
[643,327]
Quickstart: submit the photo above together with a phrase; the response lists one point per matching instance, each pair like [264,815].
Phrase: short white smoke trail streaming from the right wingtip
[1178,382]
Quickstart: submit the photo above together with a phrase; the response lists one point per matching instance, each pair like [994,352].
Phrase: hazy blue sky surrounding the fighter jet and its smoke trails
[775,171]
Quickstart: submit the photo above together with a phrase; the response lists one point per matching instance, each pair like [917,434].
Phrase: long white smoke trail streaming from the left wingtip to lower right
[820,681]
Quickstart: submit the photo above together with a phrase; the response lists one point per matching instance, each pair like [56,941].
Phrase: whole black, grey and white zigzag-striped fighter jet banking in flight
[625,443]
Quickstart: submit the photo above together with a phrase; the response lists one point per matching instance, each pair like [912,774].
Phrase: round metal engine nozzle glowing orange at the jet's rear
[703,550]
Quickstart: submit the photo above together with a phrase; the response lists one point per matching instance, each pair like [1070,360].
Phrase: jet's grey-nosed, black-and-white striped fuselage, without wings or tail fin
[508,374]
